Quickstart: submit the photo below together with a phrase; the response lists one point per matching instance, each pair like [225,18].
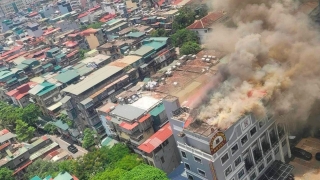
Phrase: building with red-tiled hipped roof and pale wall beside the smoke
[203,25]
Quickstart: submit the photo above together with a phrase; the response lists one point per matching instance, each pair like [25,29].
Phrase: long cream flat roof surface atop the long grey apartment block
[93,79]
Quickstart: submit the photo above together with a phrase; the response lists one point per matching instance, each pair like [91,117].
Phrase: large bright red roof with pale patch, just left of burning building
[156,139]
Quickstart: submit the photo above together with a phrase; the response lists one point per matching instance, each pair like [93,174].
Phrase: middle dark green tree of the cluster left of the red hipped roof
[182,36]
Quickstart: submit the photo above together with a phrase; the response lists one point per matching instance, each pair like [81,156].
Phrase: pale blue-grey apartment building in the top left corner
[10,7]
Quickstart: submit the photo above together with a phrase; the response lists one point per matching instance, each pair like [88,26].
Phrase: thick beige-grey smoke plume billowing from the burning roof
[274,64]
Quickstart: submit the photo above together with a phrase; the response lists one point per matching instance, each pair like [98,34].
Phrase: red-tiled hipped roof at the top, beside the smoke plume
[206,21]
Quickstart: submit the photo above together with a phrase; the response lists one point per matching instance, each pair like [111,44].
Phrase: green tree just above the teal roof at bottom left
[42,169]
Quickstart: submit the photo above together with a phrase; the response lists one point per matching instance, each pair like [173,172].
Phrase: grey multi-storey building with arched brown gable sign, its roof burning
[245,150]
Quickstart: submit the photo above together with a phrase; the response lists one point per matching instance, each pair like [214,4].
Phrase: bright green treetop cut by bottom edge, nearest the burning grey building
[144,172]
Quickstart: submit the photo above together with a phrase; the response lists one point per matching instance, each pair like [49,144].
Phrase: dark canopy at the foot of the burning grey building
[277,171]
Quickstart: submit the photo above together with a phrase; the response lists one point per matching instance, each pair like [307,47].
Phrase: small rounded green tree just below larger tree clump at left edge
[23,131]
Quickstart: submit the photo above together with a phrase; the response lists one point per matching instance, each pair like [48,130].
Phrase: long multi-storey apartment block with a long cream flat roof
[90,93]
